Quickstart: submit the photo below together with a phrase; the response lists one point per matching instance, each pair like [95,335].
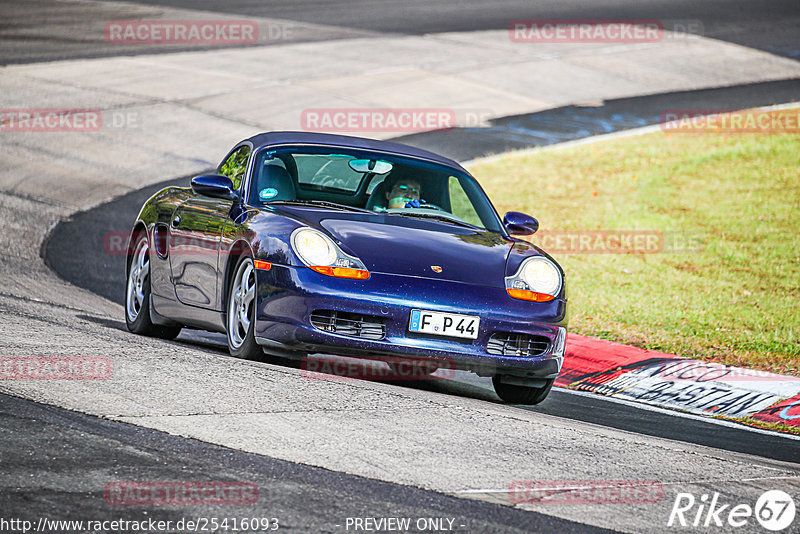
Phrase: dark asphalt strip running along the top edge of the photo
[26,25]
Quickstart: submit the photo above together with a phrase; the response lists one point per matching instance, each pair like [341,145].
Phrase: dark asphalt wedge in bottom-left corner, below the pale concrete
[307,499]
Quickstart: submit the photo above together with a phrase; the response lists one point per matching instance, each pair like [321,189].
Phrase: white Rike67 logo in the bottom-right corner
[774,510]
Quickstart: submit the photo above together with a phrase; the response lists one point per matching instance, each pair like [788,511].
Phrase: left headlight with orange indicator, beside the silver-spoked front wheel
[321,254]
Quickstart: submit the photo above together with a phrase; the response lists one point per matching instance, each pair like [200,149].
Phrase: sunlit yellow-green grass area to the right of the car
[726,208]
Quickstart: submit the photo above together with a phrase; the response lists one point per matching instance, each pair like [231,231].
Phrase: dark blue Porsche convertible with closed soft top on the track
[314,243]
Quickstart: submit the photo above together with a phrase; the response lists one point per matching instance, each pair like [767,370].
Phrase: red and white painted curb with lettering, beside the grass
[670,381]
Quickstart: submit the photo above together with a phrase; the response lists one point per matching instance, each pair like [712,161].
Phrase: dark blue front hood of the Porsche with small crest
[416,247]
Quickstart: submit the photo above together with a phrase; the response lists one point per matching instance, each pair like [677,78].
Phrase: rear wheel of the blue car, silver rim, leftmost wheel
[137,293]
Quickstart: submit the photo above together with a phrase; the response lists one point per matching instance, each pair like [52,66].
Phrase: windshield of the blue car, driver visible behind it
[375,182]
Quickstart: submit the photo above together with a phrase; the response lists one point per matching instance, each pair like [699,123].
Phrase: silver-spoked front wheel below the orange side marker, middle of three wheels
[242,312]
